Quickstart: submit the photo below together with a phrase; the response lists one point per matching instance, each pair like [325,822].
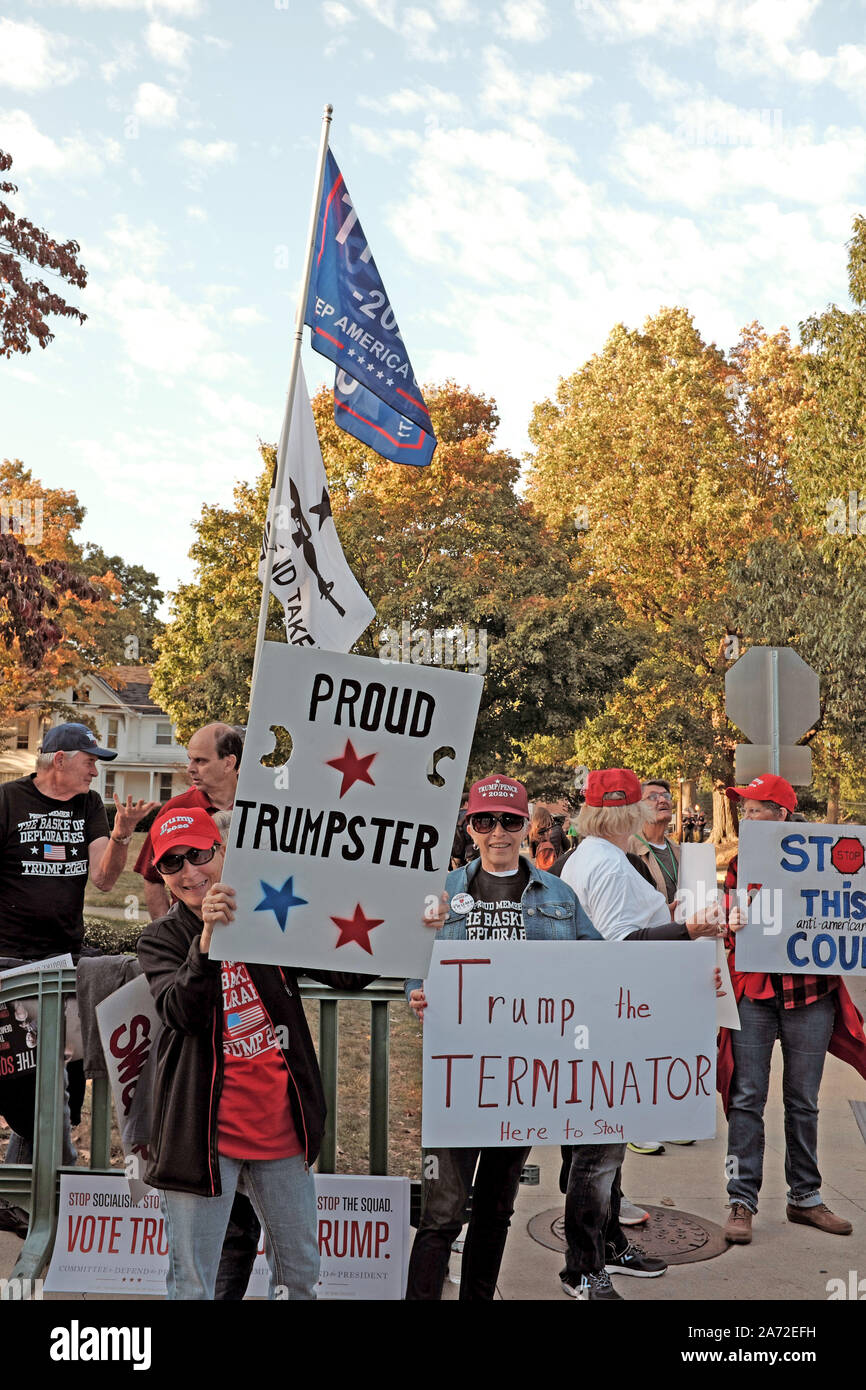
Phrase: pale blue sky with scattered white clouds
[528,174]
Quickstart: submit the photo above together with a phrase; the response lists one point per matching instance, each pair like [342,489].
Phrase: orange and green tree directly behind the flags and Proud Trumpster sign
[448,547]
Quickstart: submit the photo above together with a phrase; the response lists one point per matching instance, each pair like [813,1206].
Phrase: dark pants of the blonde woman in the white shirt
[593,1207]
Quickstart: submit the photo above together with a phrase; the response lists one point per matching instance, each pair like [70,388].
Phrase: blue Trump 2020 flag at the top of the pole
[354,325]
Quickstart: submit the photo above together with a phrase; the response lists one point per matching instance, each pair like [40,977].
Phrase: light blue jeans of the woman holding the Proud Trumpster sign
[284,1196]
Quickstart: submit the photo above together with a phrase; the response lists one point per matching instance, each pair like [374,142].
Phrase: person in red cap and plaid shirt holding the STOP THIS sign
[810,1015]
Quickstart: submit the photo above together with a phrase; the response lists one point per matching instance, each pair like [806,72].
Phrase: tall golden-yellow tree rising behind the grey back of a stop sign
[669,459]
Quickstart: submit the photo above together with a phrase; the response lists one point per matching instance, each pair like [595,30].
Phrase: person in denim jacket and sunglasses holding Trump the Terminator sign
[496,897]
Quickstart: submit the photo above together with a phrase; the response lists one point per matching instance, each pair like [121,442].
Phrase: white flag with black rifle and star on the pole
[325,605]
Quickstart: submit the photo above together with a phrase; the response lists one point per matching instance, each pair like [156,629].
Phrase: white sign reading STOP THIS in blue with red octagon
[806,886]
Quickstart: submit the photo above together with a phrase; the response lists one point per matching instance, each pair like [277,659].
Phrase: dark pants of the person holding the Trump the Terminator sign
[446,1197]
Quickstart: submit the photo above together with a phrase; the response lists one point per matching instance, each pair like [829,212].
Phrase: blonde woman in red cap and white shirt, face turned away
[622,907]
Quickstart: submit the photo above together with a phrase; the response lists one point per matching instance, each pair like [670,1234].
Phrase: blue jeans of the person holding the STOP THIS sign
[804,1035]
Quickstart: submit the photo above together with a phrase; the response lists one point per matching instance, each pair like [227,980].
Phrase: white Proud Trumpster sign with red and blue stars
[334,854]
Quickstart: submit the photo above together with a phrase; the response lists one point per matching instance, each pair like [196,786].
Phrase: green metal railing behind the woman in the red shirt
[37,1186]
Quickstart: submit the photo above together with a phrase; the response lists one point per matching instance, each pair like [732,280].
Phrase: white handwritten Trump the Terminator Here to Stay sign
[569,1043]
